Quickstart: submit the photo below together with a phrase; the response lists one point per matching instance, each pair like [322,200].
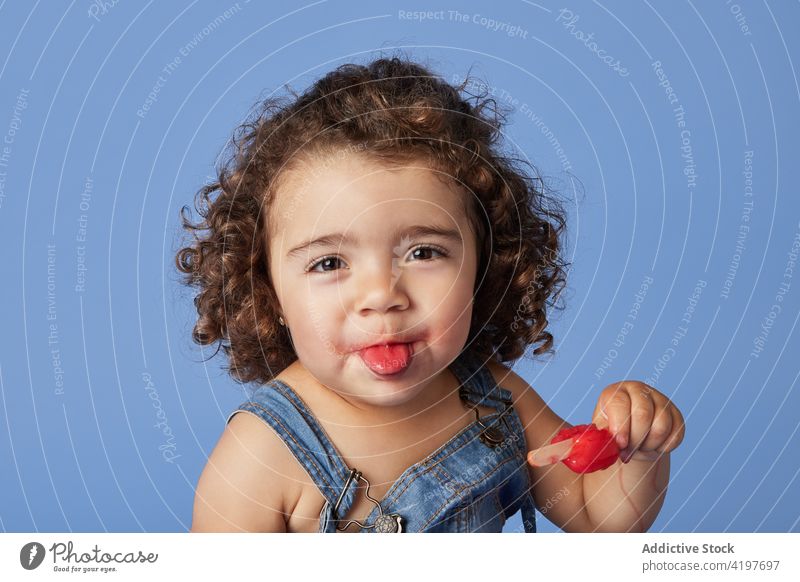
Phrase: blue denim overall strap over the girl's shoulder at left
[281,408]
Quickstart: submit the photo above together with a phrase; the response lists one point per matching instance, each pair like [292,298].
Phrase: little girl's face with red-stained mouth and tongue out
[378,285]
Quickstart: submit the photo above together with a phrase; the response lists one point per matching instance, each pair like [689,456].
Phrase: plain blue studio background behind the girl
[86,455]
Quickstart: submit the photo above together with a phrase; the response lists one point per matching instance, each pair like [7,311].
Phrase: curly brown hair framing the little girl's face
[394,110]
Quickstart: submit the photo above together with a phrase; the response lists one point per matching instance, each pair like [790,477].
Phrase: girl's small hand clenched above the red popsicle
[645,423]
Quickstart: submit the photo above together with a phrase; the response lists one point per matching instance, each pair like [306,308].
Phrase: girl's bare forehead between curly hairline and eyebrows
[356,194]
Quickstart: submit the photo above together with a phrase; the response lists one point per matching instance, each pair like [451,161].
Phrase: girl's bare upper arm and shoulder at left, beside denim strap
[245,485]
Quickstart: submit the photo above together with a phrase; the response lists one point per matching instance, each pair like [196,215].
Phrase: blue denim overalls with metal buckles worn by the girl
[472,483]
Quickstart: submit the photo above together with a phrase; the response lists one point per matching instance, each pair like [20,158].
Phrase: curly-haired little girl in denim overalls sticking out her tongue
[370,261]
